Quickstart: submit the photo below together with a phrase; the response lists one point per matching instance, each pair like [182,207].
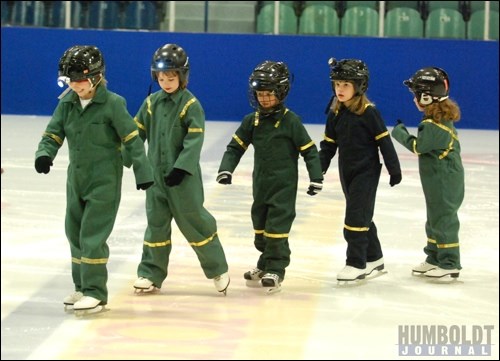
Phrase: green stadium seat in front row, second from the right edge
[445,23]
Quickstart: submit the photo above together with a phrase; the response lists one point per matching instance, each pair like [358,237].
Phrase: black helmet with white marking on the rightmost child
[429,85]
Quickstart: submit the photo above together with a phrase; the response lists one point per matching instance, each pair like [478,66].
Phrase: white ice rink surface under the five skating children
[312,318]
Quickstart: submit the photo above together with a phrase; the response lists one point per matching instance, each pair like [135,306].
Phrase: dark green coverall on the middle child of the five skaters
[278,140]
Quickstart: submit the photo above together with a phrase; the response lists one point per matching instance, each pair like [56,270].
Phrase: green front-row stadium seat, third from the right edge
[403,23]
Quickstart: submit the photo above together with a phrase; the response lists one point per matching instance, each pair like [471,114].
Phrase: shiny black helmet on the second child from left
[170,57]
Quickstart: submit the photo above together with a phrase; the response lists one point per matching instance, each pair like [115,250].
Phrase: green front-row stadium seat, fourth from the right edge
[360,21]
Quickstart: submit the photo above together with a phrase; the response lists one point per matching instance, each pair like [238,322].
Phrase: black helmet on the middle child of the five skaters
[272,76]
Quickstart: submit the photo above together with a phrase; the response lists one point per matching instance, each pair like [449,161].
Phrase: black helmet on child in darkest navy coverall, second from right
[352,70]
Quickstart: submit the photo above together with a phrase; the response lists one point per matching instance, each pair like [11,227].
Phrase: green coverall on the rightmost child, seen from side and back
[442,177]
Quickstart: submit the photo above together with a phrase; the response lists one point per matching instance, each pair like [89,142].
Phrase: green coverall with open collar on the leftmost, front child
[94,178]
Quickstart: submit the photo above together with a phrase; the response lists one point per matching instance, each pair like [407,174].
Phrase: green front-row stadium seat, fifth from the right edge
[319,20]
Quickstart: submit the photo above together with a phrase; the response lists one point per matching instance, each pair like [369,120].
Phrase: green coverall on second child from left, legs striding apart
[174,126]
